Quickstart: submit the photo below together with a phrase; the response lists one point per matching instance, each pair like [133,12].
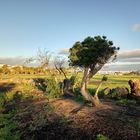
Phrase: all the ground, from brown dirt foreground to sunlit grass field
[26,112]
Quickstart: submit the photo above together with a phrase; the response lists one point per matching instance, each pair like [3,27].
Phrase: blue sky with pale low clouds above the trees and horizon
[27,25]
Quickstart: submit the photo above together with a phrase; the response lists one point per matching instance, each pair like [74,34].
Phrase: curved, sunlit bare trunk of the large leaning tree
[94,100]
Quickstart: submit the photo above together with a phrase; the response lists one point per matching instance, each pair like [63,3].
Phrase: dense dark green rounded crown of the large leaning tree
[92,52]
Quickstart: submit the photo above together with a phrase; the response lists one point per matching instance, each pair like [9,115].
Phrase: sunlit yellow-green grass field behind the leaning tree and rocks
[113,80]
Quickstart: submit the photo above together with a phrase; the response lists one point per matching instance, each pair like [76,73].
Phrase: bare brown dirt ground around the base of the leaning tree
[40,119]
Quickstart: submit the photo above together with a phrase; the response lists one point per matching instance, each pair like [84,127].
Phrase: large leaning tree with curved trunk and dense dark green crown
[91,54]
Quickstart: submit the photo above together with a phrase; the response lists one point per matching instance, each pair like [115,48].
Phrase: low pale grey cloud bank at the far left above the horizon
[12,60]
